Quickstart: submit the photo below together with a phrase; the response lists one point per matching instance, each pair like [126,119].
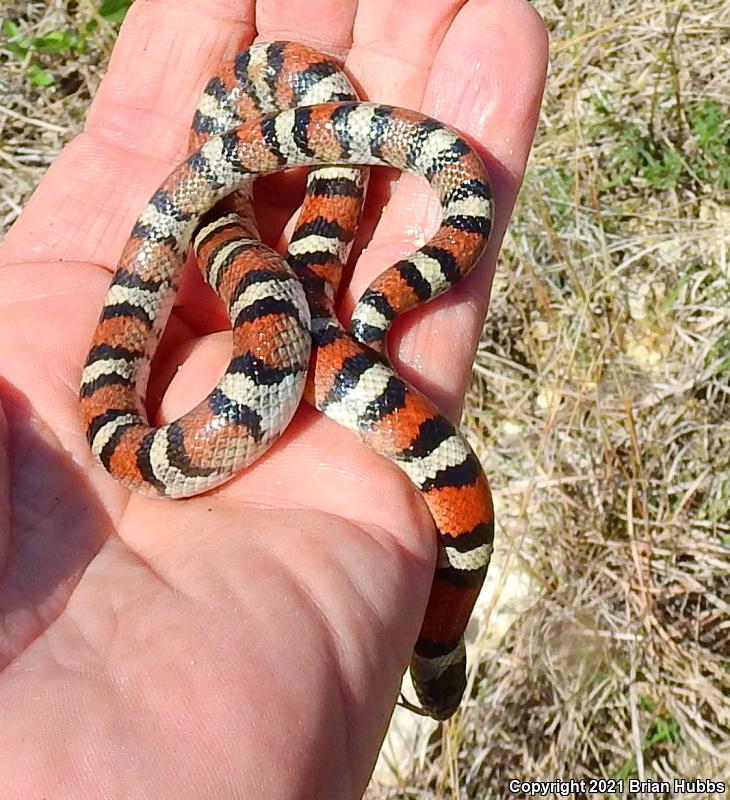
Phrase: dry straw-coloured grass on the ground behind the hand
[601,399]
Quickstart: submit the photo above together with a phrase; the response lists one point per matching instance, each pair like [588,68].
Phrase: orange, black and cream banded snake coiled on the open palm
[275,106]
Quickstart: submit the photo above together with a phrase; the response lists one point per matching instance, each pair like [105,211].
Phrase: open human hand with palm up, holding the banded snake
[247,643]
